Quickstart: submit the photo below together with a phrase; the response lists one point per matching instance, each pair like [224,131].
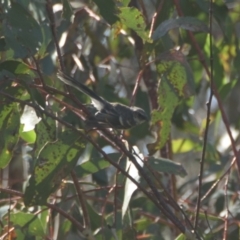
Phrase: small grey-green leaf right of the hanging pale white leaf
[167,166]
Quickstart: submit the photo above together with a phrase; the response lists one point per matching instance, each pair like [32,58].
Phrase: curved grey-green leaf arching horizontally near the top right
[188,23]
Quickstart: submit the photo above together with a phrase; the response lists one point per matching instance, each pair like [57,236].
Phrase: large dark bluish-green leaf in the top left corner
[22,32]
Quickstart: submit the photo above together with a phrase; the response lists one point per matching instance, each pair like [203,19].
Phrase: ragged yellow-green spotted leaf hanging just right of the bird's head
[176,83]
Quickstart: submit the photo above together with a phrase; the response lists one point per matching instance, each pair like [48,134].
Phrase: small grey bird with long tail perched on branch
[107,114]
